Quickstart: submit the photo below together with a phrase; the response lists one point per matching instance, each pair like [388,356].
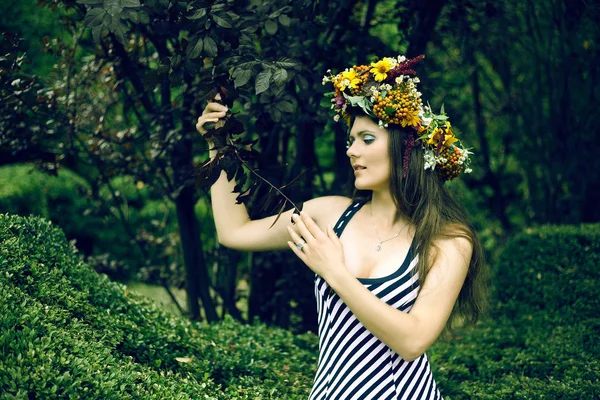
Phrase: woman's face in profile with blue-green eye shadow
[369,155]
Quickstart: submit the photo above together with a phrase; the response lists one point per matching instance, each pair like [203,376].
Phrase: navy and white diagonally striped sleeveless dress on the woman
[354,363]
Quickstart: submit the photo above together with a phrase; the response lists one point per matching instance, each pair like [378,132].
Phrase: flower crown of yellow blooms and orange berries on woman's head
[387,90]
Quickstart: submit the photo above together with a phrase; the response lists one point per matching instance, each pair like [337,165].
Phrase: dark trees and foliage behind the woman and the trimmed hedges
[104,94]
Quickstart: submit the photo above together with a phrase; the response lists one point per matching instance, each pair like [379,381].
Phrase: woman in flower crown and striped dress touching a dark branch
[377,314]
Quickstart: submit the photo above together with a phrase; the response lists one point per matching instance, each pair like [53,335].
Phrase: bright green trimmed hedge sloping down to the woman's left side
[69,331]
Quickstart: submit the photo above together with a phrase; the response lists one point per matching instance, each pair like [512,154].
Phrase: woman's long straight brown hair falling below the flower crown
[422,198]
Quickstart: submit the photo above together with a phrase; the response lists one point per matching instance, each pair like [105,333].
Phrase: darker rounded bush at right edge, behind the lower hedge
[552,268]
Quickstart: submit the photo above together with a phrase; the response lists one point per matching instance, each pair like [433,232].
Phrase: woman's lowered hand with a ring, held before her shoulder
[323,252]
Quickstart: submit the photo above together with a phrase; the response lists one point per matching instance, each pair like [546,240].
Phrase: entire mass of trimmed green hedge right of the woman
[541,340]
